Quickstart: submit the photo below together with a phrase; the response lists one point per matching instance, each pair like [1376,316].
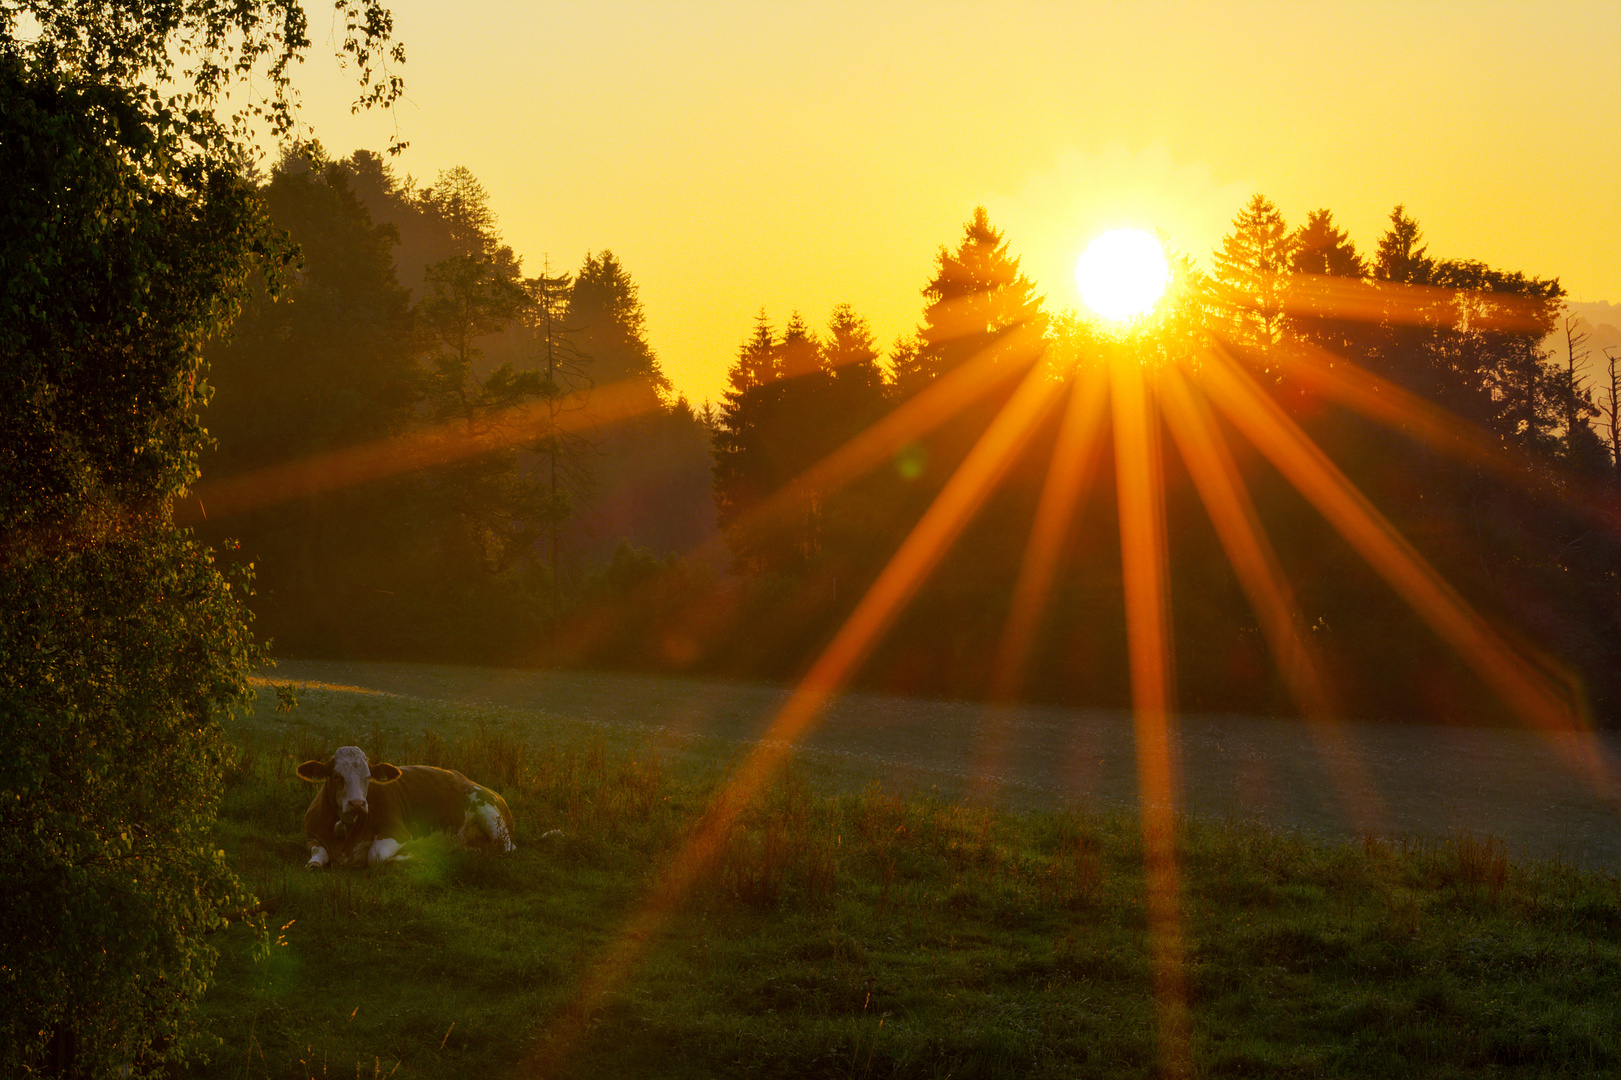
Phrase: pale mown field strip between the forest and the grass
[1431,782]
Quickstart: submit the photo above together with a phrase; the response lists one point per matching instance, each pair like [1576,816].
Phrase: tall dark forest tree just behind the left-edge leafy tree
[328,364]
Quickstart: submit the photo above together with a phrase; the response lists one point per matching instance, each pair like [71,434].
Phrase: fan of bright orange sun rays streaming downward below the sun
[1140,400]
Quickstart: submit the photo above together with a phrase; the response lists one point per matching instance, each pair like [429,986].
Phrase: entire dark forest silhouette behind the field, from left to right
[594,542]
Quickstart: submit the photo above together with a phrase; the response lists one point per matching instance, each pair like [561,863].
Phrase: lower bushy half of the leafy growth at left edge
[119,651]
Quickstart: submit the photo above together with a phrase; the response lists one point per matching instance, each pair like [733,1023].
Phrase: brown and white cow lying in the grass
[364,815]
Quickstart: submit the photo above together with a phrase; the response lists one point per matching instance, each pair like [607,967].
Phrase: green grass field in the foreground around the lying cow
[883,933]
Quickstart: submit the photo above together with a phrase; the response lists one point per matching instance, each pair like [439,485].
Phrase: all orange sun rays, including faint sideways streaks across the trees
[1145,398]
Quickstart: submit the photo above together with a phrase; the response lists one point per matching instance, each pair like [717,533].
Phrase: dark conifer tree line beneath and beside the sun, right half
[1539,555]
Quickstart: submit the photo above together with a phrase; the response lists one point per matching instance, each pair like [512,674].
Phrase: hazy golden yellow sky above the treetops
[795,156]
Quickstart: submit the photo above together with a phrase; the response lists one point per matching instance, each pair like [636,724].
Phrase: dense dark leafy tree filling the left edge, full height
[119,638]
